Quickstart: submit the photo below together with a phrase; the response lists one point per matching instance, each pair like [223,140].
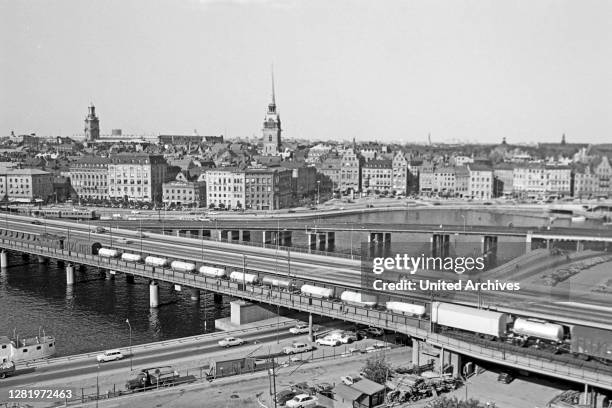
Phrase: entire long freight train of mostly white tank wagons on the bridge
[582,342]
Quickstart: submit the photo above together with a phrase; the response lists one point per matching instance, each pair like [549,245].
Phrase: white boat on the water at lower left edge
[26,349]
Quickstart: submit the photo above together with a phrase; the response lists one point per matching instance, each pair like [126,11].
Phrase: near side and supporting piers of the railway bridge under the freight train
[450,349]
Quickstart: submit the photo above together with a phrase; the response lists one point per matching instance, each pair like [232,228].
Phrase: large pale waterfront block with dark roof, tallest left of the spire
[136,177]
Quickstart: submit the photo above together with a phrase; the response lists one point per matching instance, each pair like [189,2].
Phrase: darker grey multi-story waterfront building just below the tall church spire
[268,188]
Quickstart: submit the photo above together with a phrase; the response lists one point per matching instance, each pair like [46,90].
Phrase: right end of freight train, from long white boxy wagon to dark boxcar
[586,343]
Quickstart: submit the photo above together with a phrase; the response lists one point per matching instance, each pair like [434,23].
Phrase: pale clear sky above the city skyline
[469,71]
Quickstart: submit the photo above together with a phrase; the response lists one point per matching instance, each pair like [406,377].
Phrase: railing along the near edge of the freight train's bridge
[412,326]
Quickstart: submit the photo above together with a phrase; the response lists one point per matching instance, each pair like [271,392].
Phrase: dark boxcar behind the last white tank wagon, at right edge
[591,342]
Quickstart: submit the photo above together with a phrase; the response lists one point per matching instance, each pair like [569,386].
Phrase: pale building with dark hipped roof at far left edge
[26,185]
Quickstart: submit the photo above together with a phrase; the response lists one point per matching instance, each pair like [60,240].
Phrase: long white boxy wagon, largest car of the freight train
[469,319]
